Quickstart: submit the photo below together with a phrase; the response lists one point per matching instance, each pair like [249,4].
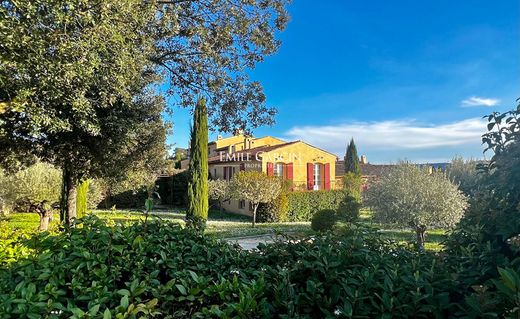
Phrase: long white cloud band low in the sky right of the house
[393,135]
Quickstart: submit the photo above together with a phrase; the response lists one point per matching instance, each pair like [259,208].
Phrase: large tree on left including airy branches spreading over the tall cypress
[67,67]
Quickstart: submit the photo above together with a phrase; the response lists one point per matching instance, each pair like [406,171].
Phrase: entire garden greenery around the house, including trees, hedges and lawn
[88,229]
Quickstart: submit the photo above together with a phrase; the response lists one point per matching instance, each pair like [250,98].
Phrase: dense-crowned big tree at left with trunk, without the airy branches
[73,86]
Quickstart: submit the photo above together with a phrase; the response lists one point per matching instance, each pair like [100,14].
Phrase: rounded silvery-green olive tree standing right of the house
[411,196]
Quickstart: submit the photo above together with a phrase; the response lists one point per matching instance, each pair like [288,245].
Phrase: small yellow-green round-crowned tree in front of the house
[255,187]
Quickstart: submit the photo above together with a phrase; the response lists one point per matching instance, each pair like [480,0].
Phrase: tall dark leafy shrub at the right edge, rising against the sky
[495,207]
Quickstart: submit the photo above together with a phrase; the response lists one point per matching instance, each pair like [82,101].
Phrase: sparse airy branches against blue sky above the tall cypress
[206,48]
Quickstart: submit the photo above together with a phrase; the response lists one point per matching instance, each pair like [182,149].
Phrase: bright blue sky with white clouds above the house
[406,79]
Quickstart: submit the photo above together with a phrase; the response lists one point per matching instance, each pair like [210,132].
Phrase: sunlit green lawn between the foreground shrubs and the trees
[227,225]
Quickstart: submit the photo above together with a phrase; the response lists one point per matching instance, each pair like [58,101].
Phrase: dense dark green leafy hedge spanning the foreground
[172,272]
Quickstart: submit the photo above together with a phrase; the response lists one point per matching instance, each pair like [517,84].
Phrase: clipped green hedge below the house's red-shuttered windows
[303,205]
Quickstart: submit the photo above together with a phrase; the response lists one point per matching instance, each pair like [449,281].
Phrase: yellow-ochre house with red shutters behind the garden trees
[308,167]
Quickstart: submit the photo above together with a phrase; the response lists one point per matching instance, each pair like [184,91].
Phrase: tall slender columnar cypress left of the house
[197,210]
